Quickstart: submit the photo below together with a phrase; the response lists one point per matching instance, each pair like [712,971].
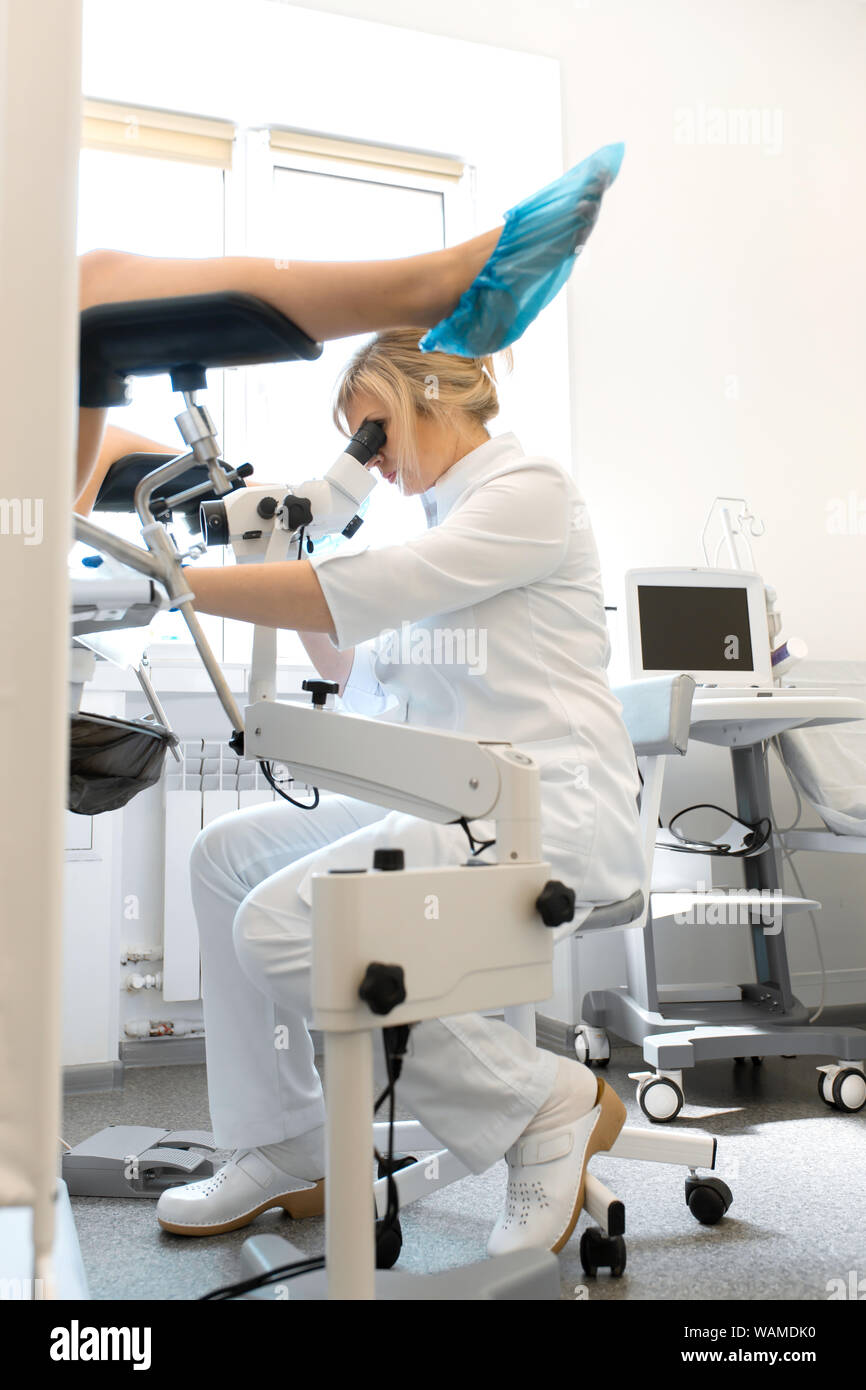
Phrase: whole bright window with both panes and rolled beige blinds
[163,186]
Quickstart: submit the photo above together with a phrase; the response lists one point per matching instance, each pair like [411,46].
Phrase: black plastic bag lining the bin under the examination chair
[113,760]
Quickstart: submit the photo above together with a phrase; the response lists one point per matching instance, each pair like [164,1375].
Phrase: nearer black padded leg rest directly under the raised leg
[183,337]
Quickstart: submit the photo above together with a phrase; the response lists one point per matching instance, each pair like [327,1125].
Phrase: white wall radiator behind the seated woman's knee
[211,782]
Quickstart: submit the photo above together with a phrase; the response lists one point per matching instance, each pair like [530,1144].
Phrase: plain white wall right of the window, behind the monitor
[717,320]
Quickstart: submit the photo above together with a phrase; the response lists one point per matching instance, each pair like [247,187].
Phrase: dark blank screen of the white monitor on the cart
[694,629]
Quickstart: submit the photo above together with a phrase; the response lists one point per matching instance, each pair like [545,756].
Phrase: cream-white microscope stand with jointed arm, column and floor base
[490,949]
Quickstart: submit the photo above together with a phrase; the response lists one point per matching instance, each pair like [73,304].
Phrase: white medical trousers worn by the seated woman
[476,1084]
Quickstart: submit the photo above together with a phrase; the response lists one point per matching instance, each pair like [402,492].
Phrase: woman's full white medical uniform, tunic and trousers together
[490,623]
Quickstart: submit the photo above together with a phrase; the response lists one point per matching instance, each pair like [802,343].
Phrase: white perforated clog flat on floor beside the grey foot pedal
[240,1192]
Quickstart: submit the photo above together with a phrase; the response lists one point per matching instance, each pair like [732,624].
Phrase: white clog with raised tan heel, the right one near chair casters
[548,1177]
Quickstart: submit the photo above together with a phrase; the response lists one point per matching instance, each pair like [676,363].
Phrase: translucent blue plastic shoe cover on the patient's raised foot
[540,243]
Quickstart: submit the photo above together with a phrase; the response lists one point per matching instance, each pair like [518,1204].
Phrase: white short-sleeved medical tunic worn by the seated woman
[509,569]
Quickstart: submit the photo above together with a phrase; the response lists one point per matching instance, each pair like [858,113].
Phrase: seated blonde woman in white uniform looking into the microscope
[508,561]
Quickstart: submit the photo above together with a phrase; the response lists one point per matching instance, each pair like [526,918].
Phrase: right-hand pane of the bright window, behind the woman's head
[337,201]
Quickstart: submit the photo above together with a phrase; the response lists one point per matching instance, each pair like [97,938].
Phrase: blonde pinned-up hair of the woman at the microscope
[415,384]
